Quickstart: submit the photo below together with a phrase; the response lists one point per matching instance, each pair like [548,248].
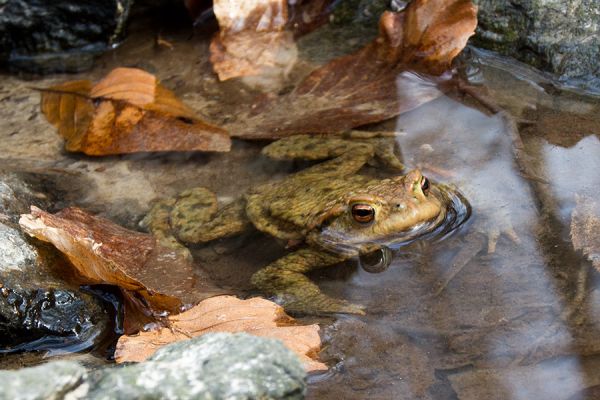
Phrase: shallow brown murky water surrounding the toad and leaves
[447,319]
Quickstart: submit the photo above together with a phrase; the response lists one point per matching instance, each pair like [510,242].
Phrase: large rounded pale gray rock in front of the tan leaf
[213,366]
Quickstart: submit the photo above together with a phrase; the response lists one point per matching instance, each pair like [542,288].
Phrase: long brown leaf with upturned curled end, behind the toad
[401,70]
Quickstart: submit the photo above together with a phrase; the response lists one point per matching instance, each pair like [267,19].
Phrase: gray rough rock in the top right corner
[559,36]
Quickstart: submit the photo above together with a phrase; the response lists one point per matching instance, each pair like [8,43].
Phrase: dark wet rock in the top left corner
[63,35]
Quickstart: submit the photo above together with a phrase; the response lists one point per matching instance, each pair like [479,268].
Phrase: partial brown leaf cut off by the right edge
[585,228]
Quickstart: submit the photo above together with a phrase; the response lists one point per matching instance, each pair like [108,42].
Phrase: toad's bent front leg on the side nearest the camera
[285,278]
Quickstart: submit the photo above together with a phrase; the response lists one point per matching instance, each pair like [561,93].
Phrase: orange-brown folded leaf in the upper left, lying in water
[128,111]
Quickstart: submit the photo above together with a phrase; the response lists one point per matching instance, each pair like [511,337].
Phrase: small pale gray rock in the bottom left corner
[55,380]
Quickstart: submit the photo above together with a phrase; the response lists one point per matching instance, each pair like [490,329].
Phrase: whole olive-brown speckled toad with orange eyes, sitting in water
[332,212]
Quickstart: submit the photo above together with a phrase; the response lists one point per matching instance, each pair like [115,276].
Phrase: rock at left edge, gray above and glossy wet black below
[38,310]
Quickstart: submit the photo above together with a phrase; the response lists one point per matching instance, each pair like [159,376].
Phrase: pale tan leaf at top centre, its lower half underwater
[253,41]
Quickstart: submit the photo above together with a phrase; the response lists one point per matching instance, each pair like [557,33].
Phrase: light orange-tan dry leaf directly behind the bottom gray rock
[255,316]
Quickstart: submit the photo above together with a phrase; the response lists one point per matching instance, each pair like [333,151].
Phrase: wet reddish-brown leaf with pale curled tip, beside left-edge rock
[155,278]
